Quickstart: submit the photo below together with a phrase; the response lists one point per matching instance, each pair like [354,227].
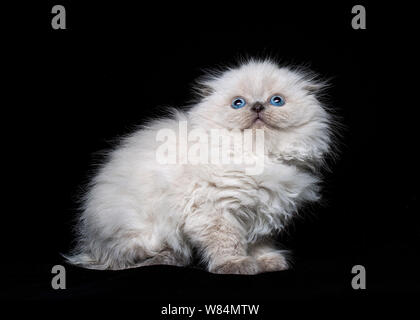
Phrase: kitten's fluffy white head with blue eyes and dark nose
[261,95]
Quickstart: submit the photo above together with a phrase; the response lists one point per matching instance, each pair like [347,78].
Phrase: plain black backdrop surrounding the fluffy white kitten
[74,91]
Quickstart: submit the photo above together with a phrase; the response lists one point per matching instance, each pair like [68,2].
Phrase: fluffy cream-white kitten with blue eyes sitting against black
[139,212]
